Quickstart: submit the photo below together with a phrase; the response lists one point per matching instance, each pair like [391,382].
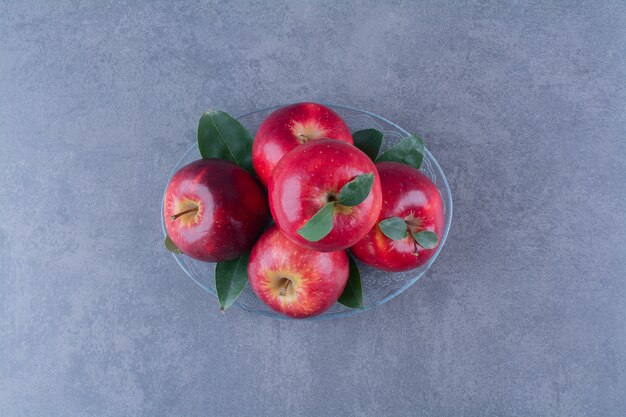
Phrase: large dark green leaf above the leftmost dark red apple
[221,136]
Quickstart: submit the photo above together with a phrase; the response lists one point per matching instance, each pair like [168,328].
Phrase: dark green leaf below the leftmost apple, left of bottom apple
[231,278]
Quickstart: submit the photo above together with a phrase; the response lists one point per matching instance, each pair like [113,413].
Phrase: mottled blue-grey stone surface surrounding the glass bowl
[523,104]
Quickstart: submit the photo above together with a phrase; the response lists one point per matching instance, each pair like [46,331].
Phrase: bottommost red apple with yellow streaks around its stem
[293,280]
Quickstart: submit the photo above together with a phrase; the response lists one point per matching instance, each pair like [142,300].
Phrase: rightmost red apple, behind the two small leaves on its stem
[411,196]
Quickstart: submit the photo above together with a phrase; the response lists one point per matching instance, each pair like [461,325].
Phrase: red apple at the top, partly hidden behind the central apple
[290,126]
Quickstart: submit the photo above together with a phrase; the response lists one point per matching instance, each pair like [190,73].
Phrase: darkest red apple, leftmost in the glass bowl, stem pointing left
[214,210]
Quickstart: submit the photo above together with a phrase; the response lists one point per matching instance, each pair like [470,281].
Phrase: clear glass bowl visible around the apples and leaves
[378,286]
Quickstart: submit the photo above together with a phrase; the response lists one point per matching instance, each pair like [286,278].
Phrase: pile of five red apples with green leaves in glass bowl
[328,191]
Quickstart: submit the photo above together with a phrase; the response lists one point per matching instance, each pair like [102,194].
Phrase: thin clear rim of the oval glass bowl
[351,312]
